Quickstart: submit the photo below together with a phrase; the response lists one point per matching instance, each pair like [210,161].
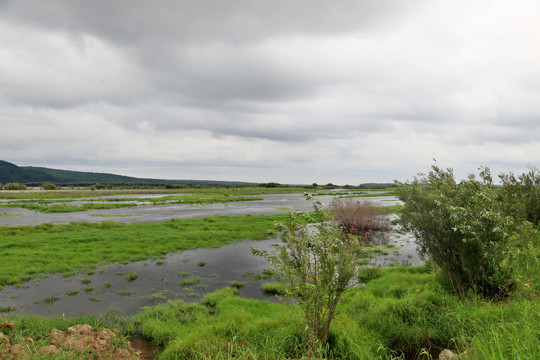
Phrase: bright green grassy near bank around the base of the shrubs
[402,314]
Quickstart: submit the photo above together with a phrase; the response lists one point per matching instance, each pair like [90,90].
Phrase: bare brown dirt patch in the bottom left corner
[77,342]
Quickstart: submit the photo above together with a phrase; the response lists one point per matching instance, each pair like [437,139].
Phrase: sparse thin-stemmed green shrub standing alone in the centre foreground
[315,264]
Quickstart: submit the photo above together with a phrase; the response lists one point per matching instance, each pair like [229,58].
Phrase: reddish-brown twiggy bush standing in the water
[357,217]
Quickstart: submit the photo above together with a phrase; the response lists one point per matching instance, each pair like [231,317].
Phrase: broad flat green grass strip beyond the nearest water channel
[36,251]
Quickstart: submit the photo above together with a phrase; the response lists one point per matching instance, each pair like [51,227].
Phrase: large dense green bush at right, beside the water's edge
[460,227]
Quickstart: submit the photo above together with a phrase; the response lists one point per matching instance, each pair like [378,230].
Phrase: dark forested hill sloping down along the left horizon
[30,175]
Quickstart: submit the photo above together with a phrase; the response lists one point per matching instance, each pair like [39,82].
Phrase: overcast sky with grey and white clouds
[288,91]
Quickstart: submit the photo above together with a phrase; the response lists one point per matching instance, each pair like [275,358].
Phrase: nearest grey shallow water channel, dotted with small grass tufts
[161,279]
